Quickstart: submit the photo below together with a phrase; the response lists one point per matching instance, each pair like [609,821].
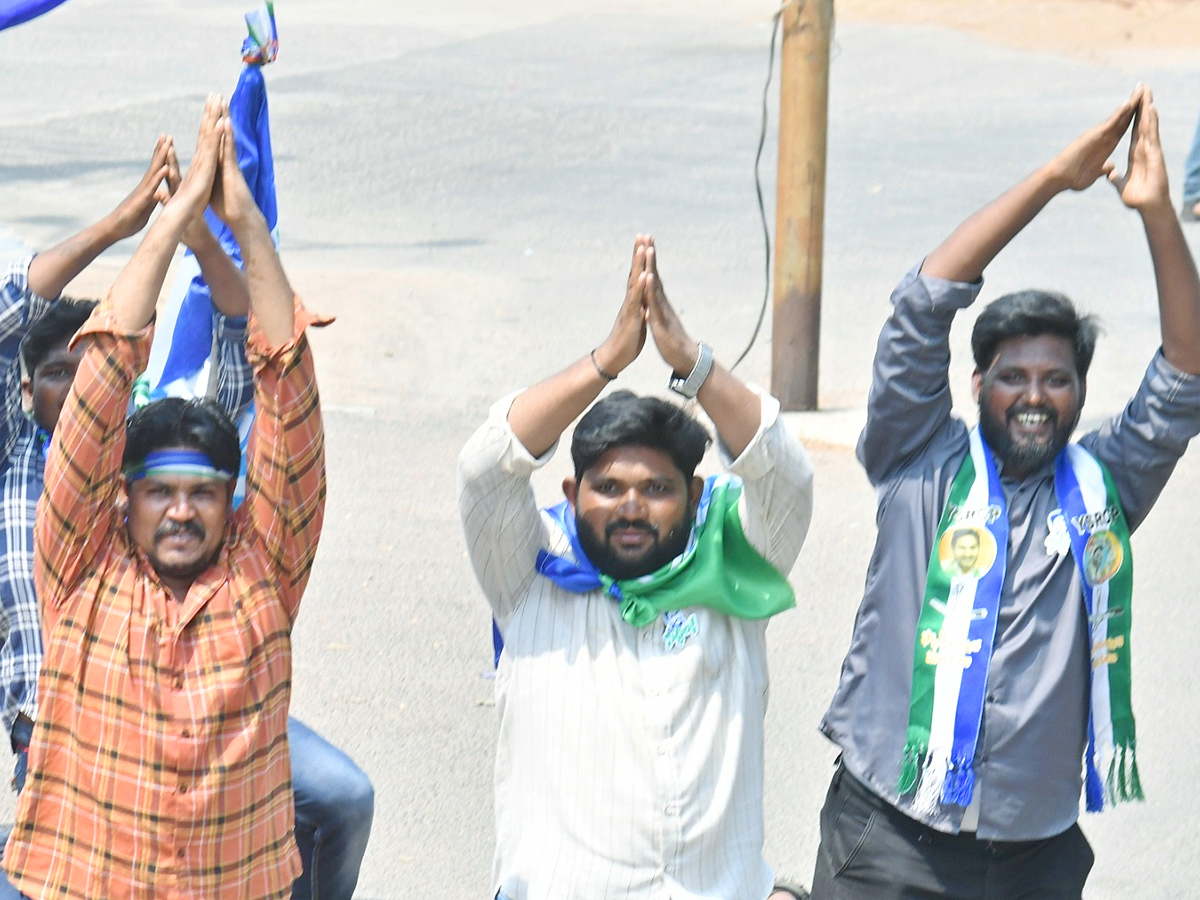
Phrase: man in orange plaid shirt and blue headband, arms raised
[159,765]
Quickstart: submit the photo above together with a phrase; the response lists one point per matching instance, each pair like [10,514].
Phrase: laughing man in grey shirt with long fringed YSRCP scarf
[969,699]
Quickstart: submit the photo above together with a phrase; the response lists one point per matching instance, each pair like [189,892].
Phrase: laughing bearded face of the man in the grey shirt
[1030,400]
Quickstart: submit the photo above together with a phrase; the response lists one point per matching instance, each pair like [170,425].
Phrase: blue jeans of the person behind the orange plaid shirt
[335,805]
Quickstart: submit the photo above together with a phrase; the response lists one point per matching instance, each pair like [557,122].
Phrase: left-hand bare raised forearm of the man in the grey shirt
[975,244]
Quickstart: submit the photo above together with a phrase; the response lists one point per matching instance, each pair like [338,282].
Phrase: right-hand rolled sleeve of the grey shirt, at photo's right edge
[1142,445]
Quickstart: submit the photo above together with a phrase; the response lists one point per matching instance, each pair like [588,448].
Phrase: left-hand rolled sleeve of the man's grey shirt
[910,400]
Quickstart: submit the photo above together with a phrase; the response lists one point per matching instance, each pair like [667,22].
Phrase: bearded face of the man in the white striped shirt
[634,511]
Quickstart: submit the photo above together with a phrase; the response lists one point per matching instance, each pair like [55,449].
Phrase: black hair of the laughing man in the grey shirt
[1030,314]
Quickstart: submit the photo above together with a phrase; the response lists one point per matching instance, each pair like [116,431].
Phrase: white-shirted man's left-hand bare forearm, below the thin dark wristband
[541,415]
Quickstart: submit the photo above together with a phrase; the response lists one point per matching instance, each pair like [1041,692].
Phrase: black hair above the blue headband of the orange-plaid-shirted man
[196,424]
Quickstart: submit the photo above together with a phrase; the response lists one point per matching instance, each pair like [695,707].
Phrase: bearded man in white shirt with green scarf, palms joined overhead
[633,685]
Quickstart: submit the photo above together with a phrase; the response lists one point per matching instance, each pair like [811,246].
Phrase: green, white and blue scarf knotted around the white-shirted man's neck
[718,568]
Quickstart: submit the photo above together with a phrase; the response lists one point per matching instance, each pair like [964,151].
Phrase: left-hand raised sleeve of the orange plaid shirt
[77,513]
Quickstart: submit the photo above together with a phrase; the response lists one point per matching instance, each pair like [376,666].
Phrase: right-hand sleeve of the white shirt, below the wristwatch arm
[777,495]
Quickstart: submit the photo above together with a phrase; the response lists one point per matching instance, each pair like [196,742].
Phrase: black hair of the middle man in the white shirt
[623,419]
